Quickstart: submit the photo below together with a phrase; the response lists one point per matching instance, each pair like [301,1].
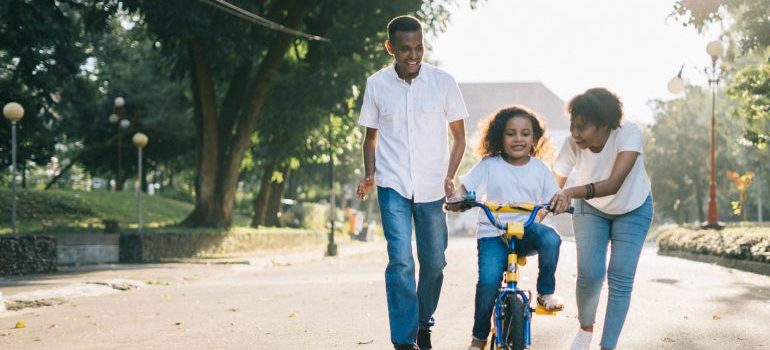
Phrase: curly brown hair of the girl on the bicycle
[494,129]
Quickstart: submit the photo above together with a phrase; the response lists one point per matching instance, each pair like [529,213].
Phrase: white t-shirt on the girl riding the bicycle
[494,179]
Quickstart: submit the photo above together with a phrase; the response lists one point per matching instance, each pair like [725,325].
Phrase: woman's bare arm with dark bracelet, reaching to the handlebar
[620,170]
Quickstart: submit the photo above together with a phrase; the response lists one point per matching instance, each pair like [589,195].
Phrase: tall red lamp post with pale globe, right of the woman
[715,50]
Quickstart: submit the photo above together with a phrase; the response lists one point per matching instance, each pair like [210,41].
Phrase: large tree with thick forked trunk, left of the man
[232,65]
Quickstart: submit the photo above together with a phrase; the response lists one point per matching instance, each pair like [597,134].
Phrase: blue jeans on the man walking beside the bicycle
[411,307]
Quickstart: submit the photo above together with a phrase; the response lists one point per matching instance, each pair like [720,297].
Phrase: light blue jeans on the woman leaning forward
[625,234]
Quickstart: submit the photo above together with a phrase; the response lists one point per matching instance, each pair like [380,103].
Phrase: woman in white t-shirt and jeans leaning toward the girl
[613,204]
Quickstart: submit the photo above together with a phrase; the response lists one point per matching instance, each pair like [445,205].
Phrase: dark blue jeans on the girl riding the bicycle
[493,261]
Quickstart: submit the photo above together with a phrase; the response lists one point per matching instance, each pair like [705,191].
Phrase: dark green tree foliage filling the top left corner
[42,45]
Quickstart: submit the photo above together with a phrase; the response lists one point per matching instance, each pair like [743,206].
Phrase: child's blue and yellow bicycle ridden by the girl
[512,311]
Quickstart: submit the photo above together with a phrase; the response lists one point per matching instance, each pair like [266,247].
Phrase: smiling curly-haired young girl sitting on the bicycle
[509,172]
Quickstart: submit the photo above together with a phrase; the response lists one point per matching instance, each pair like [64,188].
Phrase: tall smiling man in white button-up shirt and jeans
[407,107]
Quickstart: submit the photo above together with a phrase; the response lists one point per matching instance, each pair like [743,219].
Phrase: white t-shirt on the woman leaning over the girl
[595,167]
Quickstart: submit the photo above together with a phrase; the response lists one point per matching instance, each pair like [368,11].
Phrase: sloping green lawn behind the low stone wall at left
[60,211]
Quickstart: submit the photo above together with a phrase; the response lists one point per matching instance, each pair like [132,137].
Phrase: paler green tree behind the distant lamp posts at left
[127,63]
